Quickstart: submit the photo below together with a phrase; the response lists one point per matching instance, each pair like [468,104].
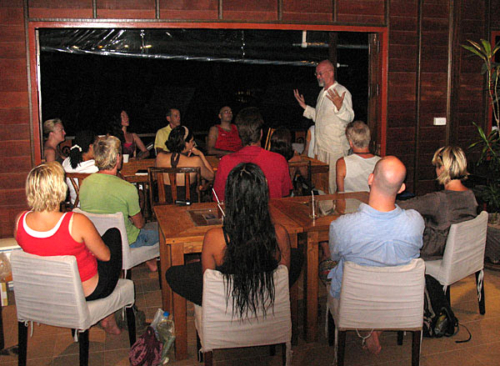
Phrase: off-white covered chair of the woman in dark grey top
[463,256]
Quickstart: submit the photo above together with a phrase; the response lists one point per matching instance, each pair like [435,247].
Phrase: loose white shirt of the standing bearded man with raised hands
[330,122]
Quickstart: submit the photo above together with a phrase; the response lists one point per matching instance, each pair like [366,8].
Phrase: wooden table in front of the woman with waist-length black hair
[180,235]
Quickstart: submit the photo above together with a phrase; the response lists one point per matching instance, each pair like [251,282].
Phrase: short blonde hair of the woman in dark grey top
[452,159]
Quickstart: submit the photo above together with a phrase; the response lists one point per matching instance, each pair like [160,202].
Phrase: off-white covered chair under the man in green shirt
[131,256]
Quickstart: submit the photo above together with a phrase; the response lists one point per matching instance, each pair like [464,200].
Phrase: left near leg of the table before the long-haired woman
[179,308]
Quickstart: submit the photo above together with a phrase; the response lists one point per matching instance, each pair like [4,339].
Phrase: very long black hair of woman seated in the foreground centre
[250,255]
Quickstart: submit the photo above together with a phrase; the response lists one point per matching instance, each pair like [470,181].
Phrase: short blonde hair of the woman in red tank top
[45,187]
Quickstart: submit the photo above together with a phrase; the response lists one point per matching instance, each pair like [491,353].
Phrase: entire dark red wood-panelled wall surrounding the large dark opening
[429,75]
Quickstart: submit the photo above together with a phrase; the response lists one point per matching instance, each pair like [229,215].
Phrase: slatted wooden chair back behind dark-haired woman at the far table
[157,194]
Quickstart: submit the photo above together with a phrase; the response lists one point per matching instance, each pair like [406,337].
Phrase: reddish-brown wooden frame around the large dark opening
[33,60]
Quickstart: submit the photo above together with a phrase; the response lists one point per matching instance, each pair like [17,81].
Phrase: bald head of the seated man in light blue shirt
[388,176]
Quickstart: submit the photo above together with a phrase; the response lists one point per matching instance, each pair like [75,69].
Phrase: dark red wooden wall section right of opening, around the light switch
[430,76]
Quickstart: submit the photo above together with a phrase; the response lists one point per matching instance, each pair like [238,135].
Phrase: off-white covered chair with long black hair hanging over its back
[218,329]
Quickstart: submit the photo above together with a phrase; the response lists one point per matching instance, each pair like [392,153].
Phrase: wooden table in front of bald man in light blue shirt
[299,210]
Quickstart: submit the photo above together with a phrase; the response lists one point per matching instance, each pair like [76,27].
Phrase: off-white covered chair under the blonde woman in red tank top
[48,290]
